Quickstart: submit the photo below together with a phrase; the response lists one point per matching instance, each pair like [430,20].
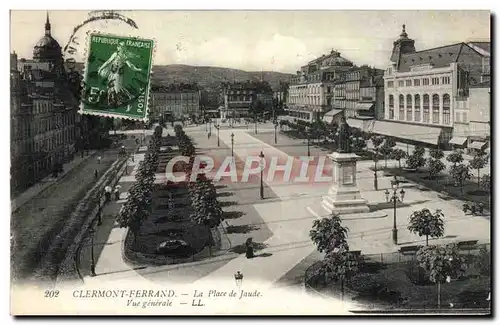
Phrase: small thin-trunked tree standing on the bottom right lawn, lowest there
[442,263]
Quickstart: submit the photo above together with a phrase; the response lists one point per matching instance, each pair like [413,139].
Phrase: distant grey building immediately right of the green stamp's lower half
[178,101]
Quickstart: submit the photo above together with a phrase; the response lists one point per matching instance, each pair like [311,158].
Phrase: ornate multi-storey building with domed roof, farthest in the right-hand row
[312,91]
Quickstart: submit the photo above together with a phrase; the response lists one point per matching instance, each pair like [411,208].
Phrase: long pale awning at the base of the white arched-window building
[419,133]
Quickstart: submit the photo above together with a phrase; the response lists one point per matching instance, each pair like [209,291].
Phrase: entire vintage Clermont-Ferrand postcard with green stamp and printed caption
[250,162]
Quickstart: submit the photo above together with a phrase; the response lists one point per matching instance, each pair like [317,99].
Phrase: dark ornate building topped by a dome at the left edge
[44,114]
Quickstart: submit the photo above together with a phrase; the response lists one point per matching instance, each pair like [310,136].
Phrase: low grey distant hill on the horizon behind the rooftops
[209,76]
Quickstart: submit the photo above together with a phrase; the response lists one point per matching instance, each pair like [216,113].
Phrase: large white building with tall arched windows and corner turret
[423,89]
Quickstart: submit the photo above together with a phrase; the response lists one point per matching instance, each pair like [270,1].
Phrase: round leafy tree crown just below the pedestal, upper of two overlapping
[328,233]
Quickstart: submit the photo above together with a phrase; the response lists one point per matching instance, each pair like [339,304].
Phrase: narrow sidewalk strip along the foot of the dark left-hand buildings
[48,181]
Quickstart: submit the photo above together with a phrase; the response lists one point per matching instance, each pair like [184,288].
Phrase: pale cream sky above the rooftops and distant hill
[279,41]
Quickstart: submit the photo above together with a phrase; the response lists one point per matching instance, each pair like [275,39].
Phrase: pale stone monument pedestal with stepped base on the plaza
[344,196]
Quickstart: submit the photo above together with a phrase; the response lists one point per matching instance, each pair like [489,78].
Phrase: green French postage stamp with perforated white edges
[116,81]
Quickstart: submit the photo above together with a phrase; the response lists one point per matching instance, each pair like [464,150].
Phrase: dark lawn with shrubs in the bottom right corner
[401,285]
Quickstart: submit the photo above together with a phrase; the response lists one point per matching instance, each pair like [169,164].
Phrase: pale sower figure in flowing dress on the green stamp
[113,71]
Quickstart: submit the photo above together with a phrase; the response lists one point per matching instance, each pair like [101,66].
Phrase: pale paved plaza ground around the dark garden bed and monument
[285,217]
